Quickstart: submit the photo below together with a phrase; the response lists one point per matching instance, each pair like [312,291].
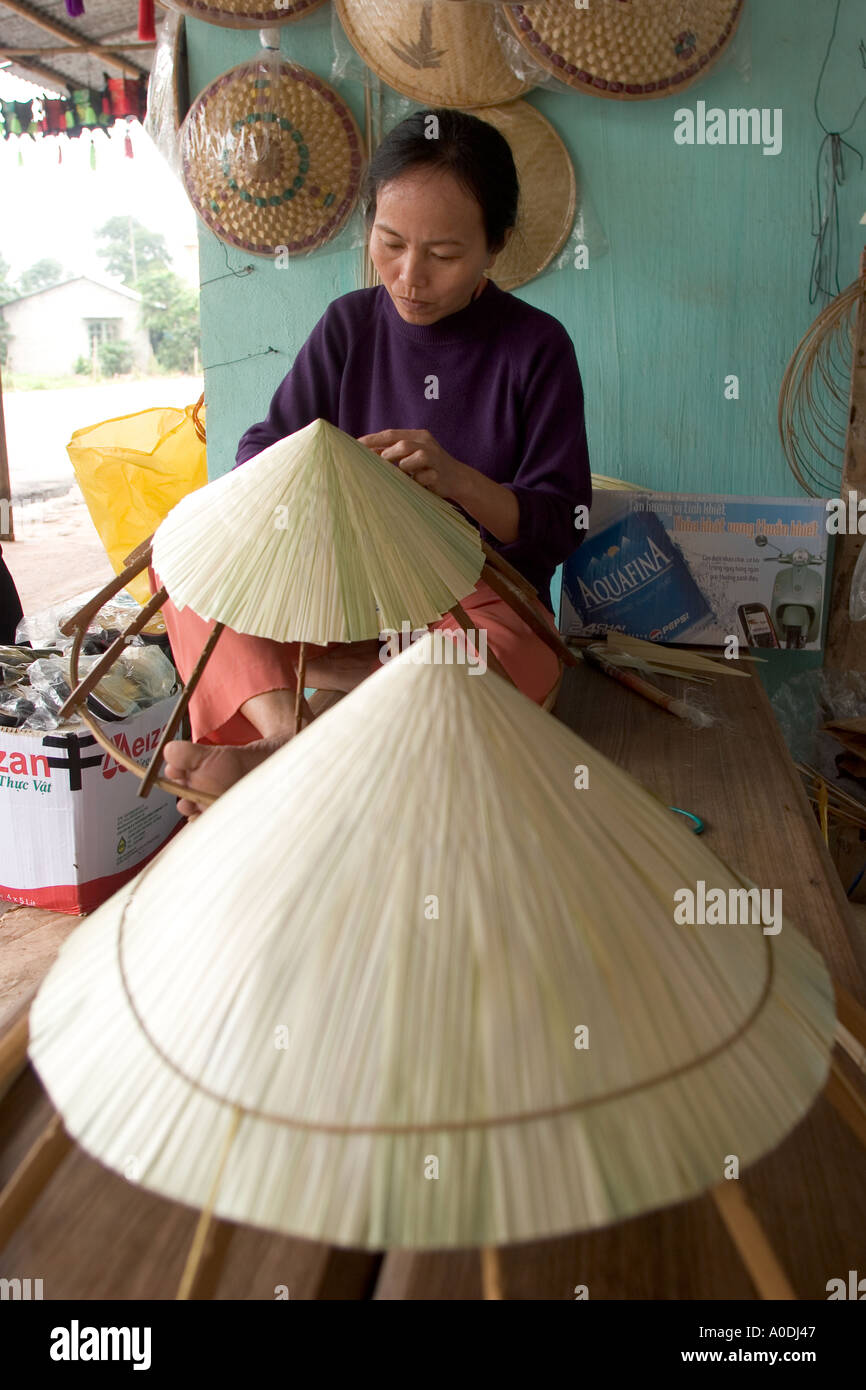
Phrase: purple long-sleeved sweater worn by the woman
[509,404]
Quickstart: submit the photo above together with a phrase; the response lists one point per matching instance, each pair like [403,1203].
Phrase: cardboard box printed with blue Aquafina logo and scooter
[676,568]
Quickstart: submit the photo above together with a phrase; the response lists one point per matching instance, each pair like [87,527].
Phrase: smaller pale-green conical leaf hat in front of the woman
[318,540]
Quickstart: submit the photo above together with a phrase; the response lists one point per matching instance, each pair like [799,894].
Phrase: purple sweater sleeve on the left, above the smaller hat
[308,393]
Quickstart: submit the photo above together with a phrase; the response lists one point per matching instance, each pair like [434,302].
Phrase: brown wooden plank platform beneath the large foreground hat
[95,1236]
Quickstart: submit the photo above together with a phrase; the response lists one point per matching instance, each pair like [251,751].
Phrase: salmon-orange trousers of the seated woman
[245,667]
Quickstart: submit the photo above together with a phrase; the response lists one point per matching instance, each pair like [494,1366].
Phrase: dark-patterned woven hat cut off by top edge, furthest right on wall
[628,51]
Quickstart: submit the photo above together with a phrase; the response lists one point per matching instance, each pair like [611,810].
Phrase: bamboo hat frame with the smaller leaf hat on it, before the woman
[418,523]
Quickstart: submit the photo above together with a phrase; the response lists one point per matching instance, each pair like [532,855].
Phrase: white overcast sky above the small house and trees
[54,209]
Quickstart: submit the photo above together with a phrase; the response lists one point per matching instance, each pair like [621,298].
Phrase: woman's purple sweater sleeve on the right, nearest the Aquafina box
[554,476]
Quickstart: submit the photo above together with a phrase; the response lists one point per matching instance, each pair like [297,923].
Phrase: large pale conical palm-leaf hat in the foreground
[439,989]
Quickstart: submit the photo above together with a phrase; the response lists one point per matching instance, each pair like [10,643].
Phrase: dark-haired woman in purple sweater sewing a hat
[466,389]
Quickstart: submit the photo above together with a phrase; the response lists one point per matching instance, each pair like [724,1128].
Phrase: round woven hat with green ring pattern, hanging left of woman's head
[273,159]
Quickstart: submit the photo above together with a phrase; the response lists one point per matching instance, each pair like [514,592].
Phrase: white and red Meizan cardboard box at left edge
[73,828]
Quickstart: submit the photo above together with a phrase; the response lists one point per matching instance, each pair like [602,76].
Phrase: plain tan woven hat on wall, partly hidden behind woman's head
[548,193]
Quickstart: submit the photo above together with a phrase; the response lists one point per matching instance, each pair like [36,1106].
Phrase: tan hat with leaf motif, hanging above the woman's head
[439,54]
